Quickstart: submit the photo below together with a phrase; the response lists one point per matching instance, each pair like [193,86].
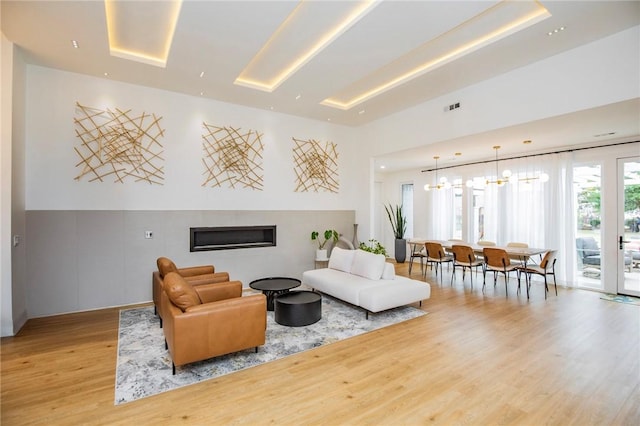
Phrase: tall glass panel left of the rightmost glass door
[587,184]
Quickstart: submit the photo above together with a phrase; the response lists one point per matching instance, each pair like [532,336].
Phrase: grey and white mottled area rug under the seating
[144,366]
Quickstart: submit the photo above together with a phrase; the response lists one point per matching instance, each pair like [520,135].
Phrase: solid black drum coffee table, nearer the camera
[298,308]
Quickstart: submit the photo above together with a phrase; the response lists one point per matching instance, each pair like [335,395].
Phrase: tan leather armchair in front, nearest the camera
[210,320]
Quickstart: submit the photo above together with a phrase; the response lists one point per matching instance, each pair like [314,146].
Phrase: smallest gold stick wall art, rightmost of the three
[315,166]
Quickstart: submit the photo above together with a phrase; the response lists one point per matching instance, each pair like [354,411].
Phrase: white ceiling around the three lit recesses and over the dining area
[221,38]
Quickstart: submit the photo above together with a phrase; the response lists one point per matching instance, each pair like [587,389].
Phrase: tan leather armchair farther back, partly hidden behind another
[196,275]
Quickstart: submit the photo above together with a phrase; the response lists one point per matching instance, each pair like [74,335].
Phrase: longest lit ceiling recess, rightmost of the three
[495,23]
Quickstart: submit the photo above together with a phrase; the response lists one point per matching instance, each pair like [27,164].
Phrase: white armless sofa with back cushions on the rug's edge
[366,280]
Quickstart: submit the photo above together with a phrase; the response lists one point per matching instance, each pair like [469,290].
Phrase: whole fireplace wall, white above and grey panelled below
[85,239]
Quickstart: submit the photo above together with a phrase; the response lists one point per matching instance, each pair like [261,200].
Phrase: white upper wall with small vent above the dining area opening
[600,73]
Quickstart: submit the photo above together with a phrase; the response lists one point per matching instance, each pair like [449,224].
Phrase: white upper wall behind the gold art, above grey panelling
[51,159]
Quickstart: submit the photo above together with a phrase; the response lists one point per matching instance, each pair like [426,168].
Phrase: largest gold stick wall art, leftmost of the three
[119,144]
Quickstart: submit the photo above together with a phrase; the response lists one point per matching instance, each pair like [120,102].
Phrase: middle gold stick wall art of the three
[232,158]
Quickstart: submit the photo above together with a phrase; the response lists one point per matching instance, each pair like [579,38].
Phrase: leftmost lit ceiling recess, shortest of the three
[142,31]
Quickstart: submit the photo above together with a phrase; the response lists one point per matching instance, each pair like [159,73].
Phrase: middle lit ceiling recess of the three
[312,26]
